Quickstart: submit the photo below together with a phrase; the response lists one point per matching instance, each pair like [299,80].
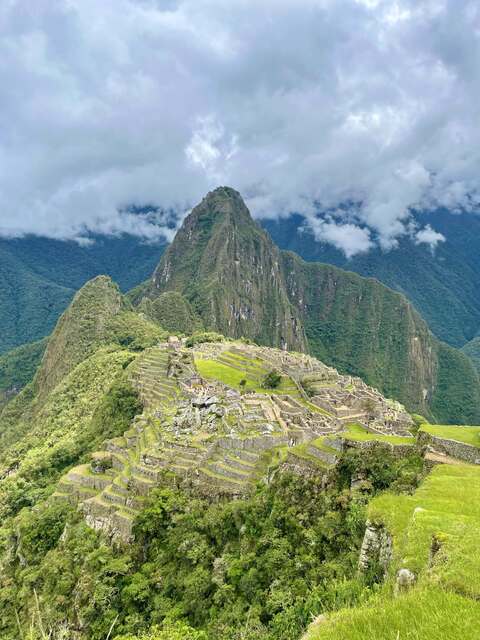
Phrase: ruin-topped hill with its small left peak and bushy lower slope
[151,422]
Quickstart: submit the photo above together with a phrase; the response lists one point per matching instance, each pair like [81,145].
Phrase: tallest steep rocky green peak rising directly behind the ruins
[229,271]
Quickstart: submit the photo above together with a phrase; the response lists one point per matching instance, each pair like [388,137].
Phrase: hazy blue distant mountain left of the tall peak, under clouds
[39,277]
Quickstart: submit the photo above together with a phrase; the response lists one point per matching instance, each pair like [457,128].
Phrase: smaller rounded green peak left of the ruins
[80,330]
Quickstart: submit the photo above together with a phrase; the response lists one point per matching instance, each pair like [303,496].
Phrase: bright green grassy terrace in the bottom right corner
[444,603]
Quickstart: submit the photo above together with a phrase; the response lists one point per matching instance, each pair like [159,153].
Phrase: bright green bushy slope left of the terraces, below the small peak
[38,445]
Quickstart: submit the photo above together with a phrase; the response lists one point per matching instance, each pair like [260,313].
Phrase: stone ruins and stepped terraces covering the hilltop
[218,440]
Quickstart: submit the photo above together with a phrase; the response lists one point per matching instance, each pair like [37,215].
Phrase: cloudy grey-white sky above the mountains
[365,110]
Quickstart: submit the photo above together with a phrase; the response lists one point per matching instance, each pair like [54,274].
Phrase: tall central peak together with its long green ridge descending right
[239,283]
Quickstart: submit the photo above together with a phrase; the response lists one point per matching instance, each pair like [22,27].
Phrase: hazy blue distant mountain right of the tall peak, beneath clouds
[443,285]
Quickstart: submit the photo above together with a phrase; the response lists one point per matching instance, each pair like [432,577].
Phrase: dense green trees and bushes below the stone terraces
[256,568]
